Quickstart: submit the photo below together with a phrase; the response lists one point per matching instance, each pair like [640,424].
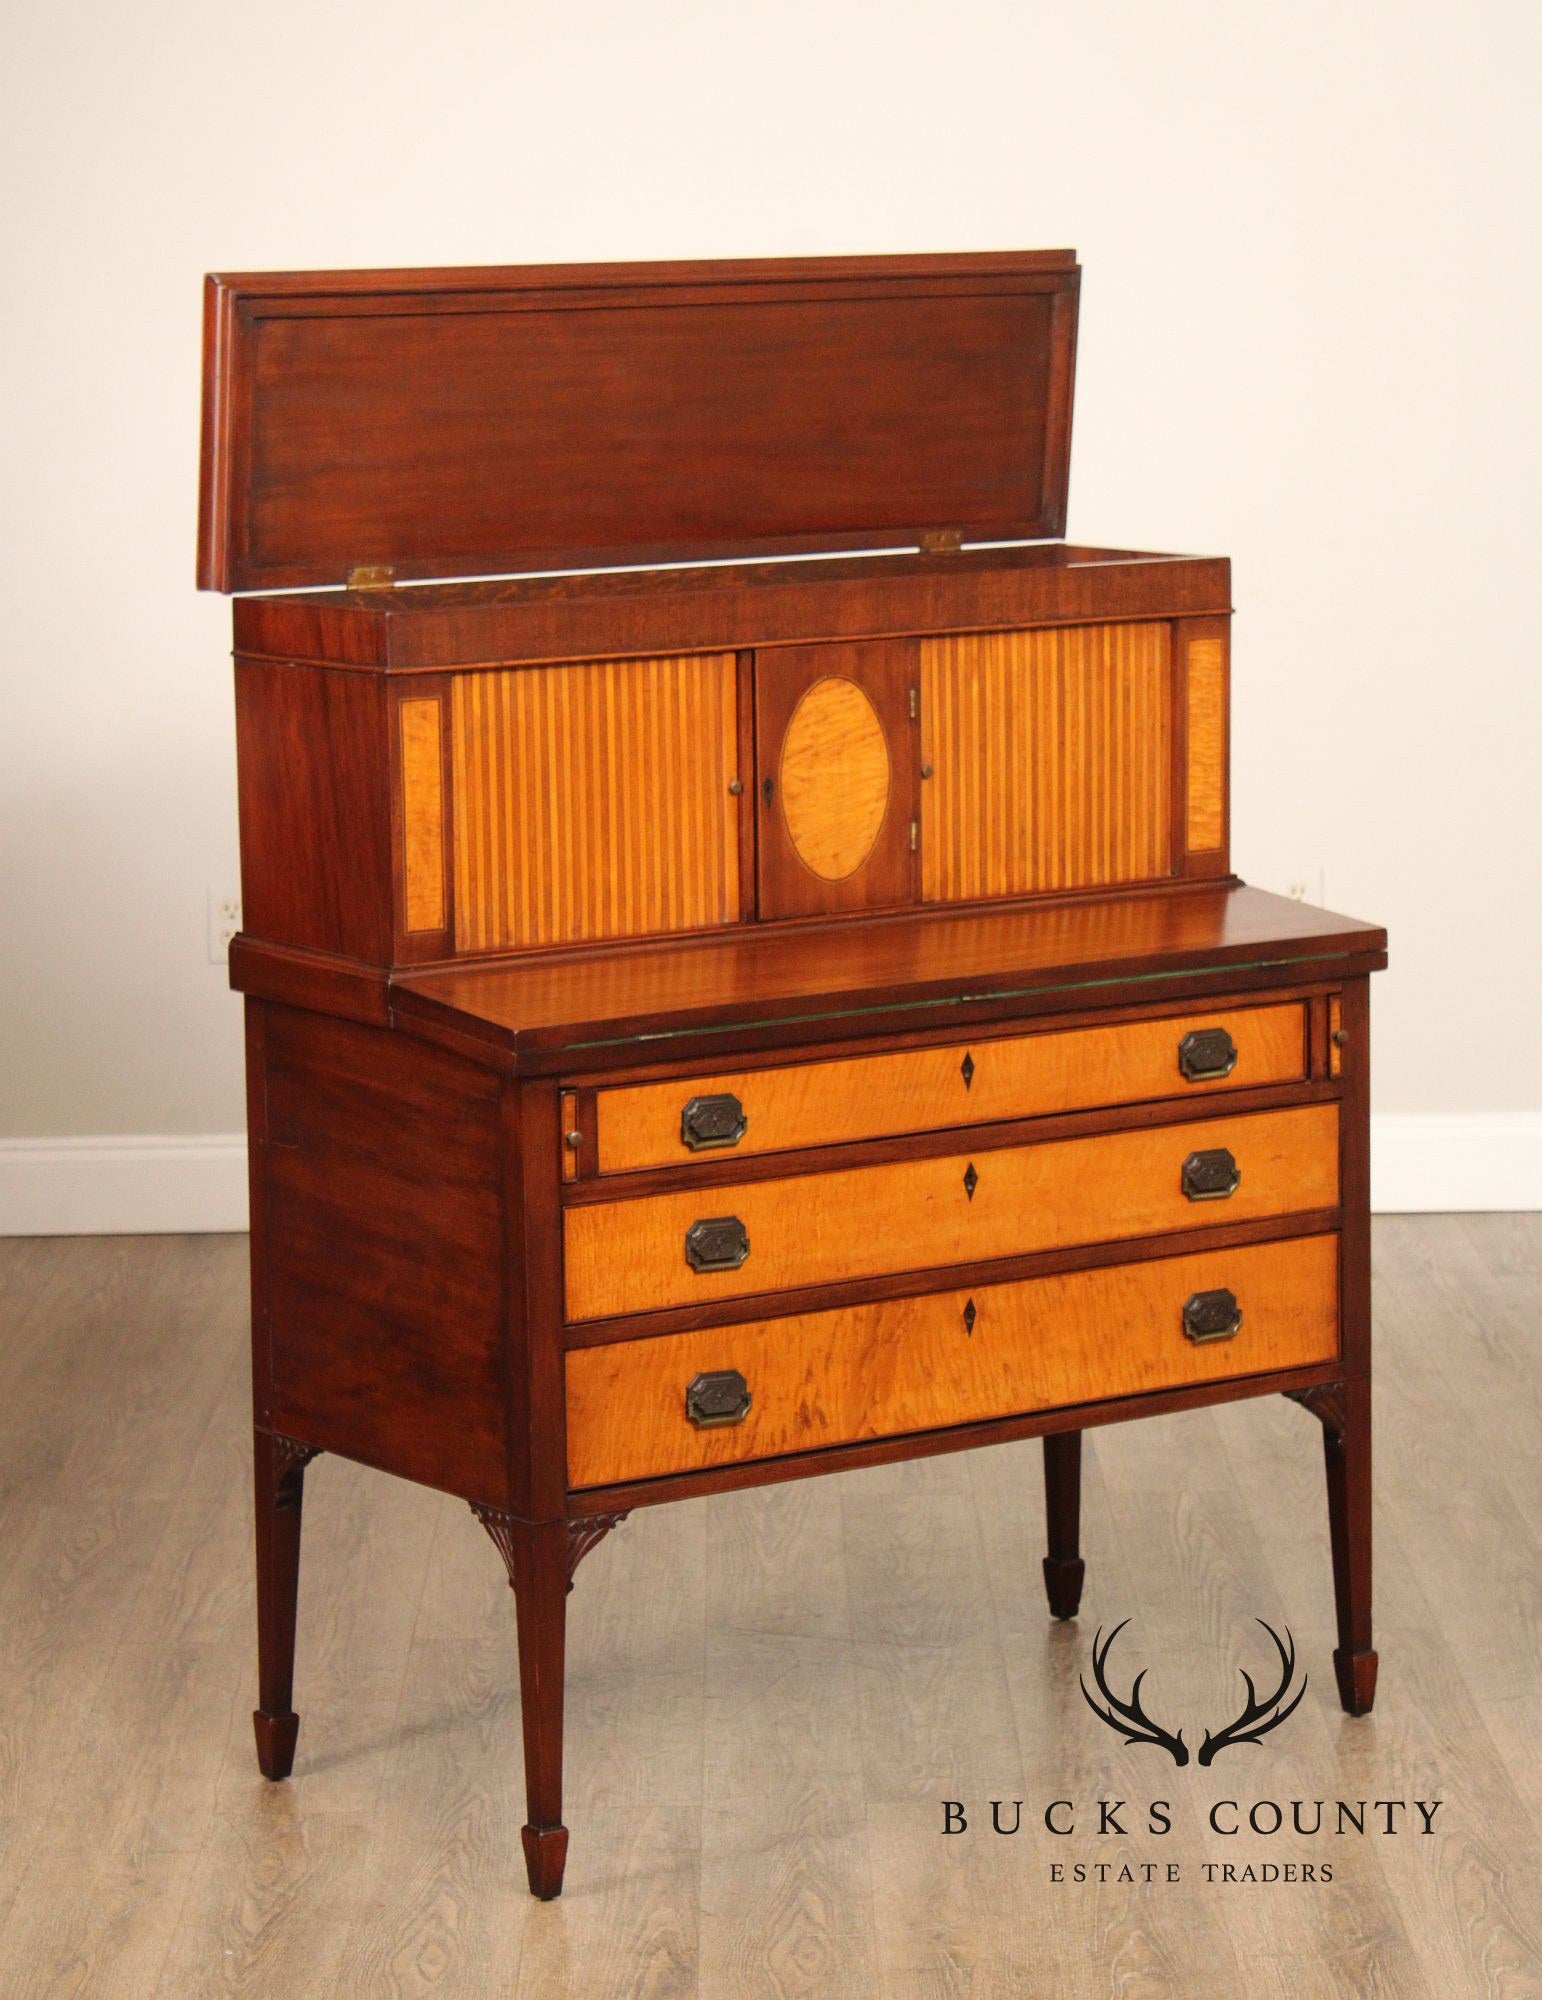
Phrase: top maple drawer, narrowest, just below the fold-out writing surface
[929,1089]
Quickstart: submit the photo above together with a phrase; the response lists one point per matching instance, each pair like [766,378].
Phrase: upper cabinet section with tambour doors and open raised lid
[581,725]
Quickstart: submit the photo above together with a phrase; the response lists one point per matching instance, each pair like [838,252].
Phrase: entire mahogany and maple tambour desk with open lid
[717,1019]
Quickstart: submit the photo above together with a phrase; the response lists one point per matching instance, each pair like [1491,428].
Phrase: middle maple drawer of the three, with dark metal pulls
[909,1215]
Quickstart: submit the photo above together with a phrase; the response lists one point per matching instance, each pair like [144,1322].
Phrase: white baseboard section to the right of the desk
[1441,1163]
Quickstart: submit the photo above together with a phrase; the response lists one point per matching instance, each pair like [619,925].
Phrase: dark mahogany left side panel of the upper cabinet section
[315,809]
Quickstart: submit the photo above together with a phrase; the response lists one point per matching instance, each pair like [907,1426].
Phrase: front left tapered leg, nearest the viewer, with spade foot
[539,1569]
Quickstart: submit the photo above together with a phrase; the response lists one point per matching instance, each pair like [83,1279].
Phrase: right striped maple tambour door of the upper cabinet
[1051,761]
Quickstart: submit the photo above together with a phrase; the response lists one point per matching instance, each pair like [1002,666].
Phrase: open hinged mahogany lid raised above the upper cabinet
[477,423]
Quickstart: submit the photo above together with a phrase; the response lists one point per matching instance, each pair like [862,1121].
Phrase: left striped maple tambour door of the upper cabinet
[593,801]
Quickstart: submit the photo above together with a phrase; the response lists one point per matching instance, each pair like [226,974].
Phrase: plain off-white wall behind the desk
[1309,341]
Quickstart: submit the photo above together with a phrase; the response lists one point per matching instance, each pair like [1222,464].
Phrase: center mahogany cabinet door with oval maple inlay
[837,777]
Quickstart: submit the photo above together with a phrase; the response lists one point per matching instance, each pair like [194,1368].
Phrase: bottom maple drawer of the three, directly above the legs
[907,1365]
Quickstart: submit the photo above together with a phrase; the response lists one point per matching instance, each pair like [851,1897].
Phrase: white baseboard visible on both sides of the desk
[1421,1163]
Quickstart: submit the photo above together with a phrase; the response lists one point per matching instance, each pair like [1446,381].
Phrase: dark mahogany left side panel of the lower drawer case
[385,1251]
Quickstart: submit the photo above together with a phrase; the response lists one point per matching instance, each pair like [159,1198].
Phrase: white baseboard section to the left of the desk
[137,1185]
